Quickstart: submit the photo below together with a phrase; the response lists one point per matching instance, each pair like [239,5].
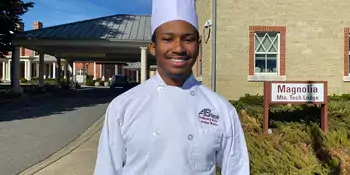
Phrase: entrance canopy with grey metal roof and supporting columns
[116,38]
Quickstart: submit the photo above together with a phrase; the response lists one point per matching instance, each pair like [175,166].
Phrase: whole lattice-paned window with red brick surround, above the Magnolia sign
[266,53]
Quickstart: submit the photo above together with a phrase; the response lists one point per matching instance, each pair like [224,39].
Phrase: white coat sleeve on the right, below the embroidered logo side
[233,157]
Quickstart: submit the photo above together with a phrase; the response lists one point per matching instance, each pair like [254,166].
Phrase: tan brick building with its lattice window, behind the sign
[289,40]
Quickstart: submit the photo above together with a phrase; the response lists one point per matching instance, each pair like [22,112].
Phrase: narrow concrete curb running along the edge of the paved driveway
[92,130]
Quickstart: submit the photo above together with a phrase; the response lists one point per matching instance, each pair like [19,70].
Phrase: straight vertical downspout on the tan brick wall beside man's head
[213,63]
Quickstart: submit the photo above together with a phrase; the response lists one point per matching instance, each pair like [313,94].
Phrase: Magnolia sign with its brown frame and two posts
[296,92]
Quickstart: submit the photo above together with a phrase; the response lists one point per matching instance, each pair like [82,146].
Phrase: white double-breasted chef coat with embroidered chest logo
[156,129]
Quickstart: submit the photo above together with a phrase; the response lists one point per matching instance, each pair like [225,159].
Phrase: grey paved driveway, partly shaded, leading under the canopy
[30,131]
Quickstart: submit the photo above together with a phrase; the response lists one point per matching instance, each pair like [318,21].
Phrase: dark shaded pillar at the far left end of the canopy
[15,70]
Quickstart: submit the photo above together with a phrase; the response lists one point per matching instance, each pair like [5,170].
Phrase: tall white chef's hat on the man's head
[170,10]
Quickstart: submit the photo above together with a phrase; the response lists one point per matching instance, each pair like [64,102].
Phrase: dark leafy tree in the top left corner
[10,17]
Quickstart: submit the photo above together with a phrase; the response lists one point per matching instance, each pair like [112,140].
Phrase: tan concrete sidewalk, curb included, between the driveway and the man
[77,158]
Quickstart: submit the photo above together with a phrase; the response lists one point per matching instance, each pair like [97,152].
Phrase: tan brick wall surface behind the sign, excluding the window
[314,41]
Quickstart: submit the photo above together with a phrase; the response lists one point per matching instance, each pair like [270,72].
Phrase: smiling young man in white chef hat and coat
[171,124]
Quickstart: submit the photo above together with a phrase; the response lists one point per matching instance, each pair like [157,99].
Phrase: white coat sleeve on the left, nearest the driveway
[110,153]
